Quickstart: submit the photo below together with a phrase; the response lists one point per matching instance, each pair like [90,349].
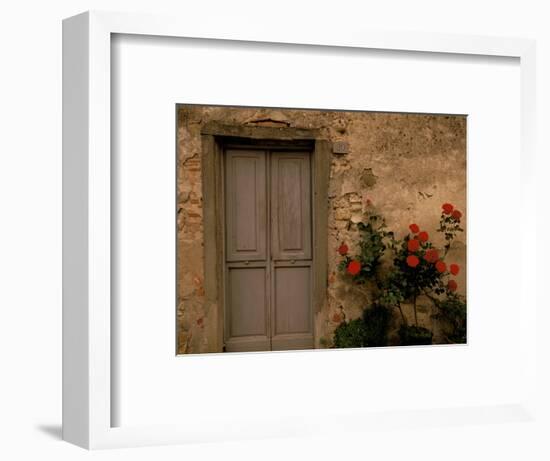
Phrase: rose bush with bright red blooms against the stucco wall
[417,267]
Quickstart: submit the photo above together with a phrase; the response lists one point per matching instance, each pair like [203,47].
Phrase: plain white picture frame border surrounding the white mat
[87,361]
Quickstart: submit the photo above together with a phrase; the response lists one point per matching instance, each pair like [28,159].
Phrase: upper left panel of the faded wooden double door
[246,212]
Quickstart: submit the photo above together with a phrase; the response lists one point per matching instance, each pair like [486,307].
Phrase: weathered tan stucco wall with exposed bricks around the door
[405,165]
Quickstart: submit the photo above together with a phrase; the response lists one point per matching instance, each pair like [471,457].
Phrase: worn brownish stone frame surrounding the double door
[214,136]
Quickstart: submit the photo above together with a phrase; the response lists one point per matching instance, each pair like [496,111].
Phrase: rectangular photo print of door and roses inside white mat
[319,229]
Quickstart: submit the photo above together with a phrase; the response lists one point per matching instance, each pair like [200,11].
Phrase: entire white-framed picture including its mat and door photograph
[259,226]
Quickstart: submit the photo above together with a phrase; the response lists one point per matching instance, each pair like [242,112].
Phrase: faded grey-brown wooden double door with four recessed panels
[268,249]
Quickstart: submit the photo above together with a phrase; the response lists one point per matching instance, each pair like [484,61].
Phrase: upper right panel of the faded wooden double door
[290,206]
